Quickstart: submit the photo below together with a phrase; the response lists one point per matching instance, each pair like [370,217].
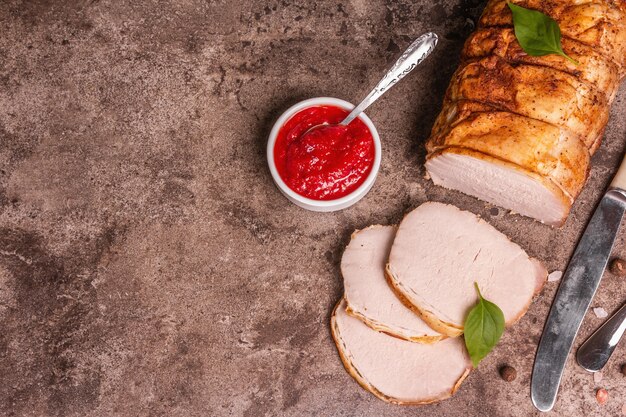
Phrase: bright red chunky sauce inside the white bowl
[328,161]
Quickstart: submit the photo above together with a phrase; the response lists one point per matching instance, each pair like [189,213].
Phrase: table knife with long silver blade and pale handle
[578,286]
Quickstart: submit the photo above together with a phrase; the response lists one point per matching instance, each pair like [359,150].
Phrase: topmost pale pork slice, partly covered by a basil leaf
[440,252]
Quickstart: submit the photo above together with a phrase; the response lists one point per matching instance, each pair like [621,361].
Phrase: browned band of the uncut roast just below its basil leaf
[593,68]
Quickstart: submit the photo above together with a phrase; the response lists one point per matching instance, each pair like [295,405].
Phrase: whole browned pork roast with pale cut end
[518,131]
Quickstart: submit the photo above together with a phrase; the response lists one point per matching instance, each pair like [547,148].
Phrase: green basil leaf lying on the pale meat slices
[484,326]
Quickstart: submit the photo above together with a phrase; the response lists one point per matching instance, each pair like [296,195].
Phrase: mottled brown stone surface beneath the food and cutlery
[148,265]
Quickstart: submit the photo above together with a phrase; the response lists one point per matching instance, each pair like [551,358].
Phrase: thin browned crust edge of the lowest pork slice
[353,371]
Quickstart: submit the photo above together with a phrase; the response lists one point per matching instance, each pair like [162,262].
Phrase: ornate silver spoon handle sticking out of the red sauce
[412,57]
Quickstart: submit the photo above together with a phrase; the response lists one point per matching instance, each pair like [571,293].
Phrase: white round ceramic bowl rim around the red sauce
[322,205]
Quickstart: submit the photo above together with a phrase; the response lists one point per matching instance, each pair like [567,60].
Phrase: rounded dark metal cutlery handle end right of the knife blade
[596,351]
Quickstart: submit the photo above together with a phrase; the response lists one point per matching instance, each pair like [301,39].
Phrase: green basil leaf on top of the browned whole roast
[537,33]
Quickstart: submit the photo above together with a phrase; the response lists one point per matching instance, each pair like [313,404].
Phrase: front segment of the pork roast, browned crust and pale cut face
[523,164]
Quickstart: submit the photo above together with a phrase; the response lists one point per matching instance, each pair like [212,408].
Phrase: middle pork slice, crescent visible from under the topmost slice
[367,293]
